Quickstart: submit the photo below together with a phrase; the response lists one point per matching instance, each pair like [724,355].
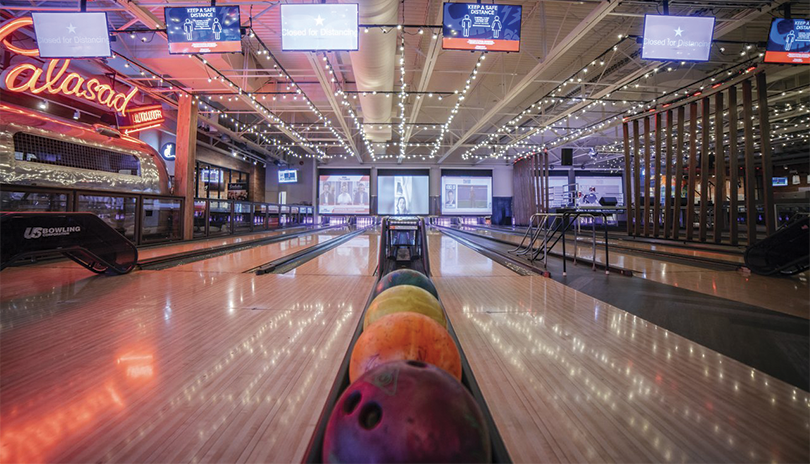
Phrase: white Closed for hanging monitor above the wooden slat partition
[682,38]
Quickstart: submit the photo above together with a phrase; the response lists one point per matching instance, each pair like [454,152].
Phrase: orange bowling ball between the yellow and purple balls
[404,336]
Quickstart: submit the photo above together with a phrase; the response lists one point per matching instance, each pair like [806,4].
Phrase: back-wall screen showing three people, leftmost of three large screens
[339,194]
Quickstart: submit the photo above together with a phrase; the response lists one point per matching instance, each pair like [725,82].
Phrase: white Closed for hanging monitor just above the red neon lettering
[72,35]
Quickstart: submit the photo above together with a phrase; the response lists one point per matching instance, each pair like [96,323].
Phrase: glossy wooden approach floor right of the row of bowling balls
[570,378]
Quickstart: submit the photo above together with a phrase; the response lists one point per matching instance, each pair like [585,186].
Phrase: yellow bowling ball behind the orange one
[404,298]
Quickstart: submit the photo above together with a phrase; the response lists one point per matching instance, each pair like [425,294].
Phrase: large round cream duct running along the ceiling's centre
[374,67]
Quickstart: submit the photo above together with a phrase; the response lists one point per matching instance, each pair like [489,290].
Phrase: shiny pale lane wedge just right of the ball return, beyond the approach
[449,258]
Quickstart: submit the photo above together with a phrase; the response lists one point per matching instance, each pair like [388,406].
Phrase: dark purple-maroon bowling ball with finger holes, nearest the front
[406,411]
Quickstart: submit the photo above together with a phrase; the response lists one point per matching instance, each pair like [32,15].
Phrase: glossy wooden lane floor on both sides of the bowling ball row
[206,363]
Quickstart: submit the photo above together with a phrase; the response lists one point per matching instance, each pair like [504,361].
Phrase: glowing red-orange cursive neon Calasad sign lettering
[56,78]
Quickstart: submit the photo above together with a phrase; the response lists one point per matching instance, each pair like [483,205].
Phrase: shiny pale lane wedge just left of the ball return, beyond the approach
[357,257]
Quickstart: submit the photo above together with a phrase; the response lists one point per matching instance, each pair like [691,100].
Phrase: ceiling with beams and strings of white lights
[459,108]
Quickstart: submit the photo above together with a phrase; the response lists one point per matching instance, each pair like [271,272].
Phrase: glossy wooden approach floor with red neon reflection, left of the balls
[174,367]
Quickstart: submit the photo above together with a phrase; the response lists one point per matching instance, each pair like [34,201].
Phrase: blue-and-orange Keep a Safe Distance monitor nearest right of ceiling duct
[480,26]
